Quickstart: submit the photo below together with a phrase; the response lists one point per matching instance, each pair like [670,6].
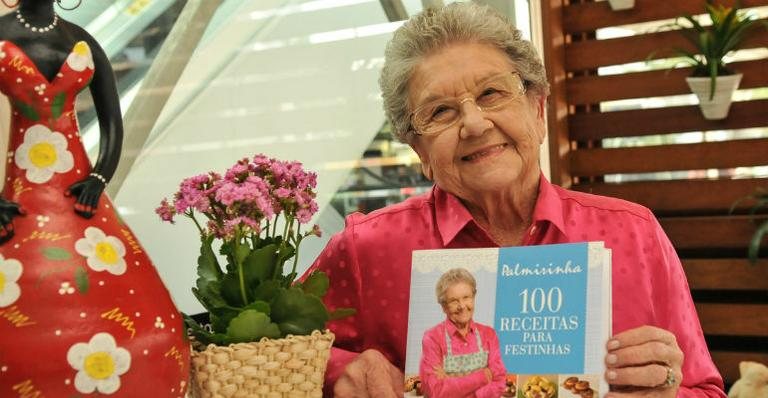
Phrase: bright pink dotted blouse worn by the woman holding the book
[369,265]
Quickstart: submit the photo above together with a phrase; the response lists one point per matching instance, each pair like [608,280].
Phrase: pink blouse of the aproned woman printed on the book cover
[474,384]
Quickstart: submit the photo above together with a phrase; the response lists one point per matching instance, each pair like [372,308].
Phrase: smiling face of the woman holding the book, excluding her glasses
[484,151]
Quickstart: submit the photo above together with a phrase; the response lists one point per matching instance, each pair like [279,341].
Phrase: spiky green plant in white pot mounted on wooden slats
[711,80]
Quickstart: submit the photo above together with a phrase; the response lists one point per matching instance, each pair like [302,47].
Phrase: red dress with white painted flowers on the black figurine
[82,309]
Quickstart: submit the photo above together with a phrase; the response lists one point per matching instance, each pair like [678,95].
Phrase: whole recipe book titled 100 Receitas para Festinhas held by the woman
[525,322]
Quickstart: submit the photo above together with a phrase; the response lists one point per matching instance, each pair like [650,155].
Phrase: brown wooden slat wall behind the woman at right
[731,295]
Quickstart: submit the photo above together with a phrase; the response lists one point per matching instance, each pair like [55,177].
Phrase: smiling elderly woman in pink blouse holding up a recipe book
[468,94]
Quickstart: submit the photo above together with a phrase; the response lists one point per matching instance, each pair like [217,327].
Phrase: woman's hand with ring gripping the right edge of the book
[644,362]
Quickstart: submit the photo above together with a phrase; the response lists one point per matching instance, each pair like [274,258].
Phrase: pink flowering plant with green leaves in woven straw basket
[267,329]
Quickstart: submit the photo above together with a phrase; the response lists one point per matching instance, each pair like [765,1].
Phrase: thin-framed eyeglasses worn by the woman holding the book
[493,94]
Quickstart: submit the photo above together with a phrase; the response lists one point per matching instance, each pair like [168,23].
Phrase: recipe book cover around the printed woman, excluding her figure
[549,305]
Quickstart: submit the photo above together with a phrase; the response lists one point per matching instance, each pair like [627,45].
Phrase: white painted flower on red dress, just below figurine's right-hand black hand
[103,252]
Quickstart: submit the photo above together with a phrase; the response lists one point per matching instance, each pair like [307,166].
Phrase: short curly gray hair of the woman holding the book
[434,29]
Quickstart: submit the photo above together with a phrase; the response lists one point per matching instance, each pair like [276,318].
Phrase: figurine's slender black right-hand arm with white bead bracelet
[107,102]
